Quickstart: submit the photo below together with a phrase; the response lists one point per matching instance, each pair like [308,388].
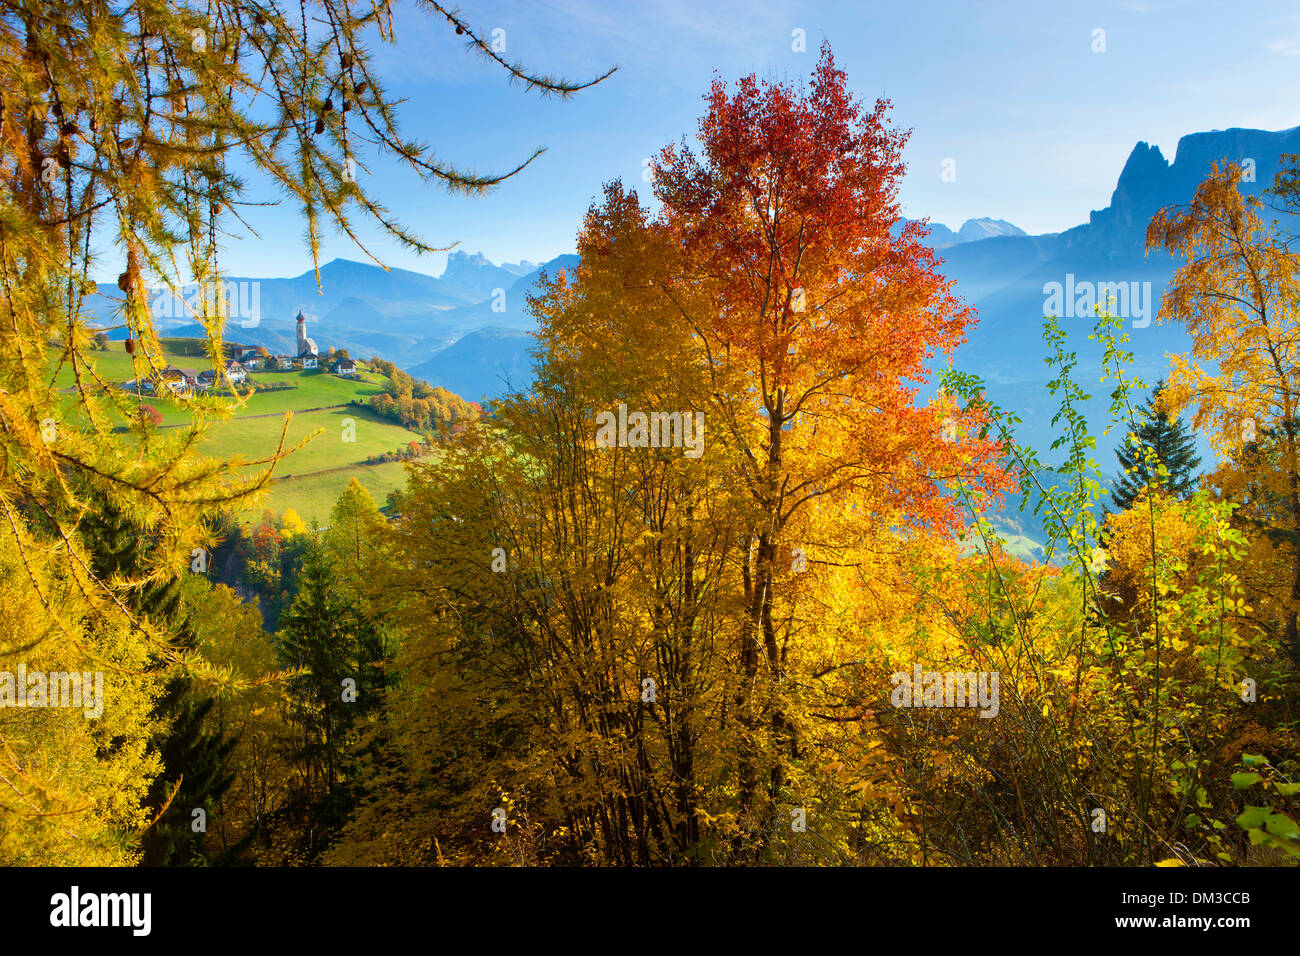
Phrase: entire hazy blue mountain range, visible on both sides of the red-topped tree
[470,330]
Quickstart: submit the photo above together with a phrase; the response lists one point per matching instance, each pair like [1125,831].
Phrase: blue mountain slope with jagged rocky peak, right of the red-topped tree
[1006,279]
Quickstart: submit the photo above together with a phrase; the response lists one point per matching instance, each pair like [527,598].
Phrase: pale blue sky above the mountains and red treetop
[1039,124]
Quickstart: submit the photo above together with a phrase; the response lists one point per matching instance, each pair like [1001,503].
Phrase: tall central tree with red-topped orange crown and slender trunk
[805,288]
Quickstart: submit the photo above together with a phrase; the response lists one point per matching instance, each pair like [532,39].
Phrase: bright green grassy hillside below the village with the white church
[311,479]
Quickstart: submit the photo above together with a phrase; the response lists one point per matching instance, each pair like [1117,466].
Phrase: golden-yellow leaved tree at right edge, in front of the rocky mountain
[1238,293]
